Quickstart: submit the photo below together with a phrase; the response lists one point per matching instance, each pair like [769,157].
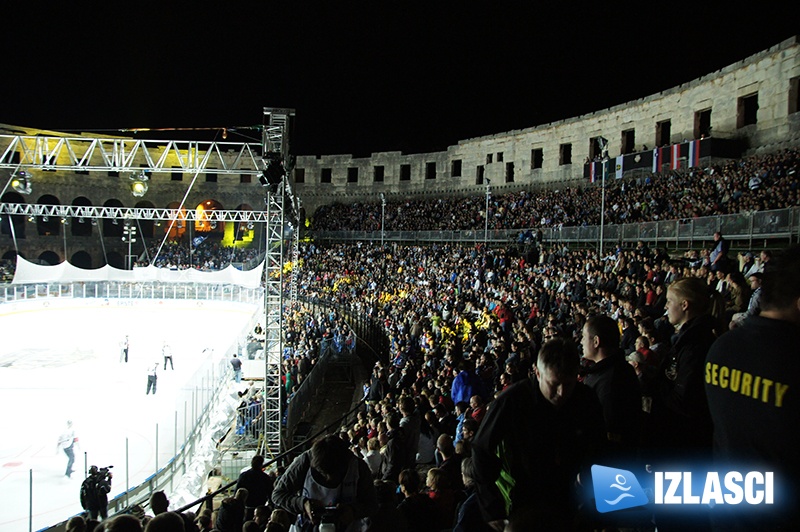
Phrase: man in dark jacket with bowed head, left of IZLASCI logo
[536,438]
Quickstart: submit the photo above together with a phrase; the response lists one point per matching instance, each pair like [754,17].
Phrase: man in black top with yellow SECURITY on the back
[751,379]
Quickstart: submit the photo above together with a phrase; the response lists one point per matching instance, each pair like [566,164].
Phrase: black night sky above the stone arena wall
[362,79]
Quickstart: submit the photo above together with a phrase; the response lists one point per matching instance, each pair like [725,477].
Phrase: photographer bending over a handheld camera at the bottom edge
[327,484]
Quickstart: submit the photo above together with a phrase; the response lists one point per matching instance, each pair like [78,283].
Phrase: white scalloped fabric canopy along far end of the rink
[30,273]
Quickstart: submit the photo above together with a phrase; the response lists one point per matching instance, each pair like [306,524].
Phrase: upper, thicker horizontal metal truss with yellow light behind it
[123,154]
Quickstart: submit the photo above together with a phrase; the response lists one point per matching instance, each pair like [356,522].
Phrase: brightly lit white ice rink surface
[62,362]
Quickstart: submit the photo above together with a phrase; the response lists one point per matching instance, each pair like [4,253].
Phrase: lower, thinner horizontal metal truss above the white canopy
[131,213]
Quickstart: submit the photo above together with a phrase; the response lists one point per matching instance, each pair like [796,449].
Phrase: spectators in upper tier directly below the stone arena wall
[756,183]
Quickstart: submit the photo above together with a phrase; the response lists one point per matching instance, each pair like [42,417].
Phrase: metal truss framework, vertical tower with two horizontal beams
[121,154]
